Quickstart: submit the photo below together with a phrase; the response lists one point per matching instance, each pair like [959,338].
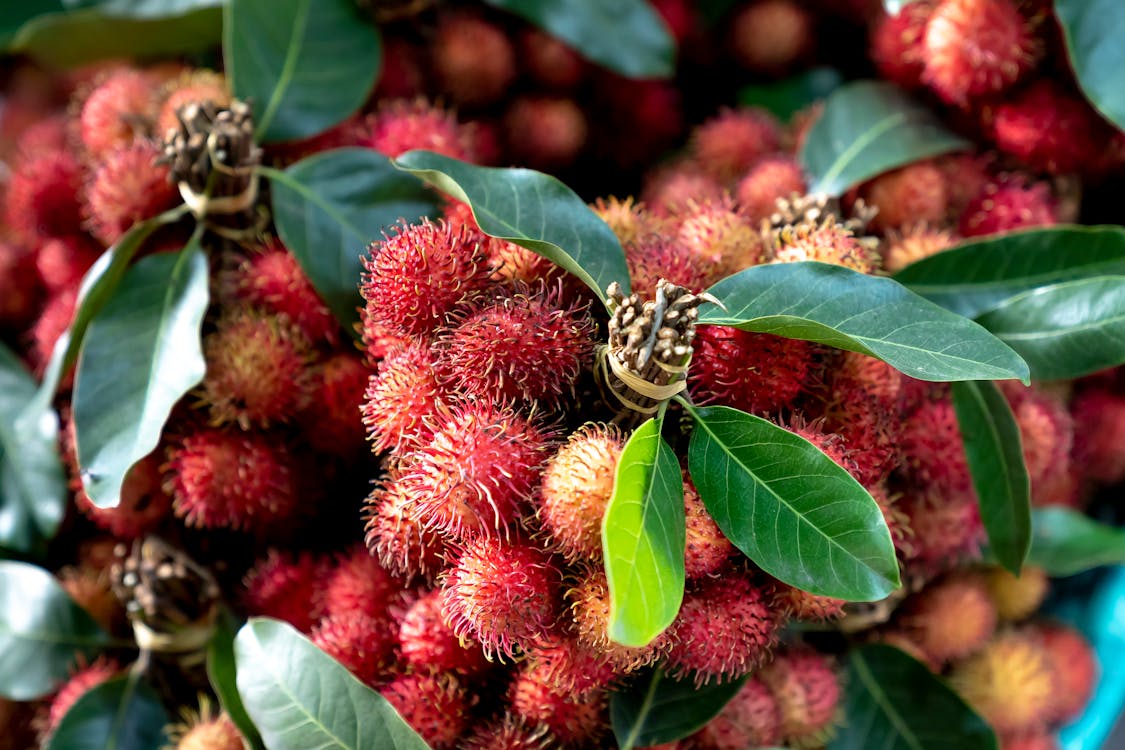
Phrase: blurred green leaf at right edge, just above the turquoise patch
[1066,543]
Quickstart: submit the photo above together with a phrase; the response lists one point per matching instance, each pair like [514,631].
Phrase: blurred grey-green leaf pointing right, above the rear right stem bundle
[867,129]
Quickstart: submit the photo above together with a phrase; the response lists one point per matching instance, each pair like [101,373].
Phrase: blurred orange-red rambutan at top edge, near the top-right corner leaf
[976,49]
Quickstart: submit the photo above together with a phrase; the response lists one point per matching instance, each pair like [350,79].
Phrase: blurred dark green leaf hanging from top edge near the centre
[627,37]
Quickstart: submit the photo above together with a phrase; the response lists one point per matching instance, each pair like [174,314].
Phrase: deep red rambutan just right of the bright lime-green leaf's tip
[724,630]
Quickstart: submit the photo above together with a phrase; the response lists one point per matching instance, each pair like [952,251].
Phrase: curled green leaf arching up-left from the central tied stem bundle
[532,210]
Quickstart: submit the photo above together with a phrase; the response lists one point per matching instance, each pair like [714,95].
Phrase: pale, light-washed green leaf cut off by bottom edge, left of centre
[301,698]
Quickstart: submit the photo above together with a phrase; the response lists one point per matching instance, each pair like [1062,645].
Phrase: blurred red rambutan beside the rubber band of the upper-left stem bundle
[128,187]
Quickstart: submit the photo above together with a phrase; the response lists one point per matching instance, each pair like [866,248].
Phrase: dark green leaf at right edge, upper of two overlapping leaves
[979,275]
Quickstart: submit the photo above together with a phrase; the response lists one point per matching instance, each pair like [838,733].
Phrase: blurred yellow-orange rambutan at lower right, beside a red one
[1011,683]
